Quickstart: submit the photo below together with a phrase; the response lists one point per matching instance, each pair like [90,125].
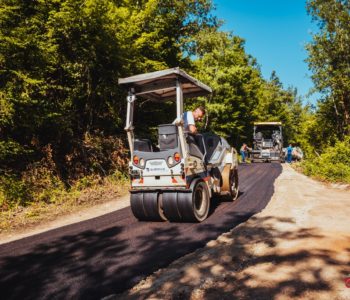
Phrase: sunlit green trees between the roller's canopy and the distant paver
[240,94]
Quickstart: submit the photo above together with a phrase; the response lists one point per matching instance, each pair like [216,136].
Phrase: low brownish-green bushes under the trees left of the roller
[94,159]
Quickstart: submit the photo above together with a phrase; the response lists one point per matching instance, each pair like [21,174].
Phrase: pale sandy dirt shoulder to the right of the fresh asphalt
[297,248]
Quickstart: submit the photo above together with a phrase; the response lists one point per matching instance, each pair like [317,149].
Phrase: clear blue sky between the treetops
[275,32]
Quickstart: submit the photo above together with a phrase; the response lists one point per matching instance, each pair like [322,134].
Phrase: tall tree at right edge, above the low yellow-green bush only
[329,60]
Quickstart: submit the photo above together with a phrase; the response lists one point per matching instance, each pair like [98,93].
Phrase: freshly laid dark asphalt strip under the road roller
[111,253]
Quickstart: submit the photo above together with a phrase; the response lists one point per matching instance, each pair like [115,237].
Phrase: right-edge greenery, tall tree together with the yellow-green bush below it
[329,59]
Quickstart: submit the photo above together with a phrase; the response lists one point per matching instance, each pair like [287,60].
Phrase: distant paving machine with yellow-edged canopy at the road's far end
[267,142]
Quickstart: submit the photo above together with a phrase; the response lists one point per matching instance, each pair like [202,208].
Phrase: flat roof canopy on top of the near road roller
[161,85]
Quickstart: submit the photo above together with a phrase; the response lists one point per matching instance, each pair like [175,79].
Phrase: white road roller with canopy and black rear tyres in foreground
[176,179]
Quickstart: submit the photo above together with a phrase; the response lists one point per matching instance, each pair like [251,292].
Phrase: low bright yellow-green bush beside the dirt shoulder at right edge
[332,165]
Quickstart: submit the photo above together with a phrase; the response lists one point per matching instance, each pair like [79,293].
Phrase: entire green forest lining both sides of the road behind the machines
[62,112]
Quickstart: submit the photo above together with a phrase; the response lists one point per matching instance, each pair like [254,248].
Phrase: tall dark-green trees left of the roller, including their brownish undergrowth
[59,66]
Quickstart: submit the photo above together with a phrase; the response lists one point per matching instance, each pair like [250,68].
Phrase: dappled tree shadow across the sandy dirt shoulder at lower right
[296,274]
